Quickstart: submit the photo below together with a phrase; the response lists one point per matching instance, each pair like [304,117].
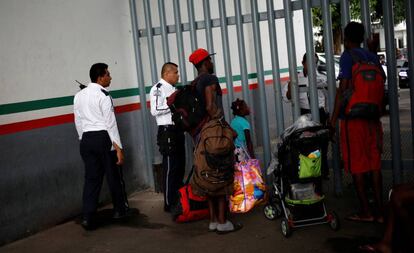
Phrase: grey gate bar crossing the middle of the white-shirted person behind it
[310,56]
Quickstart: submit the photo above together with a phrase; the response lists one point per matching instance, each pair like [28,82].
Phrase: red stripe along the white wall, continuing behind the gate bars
[68,118]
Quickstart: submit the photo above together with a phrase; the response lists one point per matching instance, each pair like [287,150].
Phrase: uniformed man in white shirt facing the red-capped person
[171,141]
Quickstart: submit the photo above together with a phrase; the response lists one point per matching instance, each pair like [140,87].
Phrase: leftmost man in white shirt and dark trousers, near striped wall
[100,145]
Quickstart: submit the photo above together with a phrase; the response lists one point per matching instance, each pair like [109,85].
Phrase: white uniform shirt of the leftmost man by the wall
[94,111]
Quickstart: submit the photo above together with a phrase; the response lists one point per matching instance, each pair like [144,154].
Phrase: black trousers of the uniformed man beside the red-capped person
[171,143]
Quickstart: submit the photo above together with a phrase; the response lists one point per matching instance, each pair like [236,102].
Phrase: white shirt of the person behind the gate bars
[303,90]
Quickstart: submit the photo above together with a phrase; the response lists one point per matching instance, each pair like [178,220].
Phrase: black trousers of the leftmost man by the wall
[95,149]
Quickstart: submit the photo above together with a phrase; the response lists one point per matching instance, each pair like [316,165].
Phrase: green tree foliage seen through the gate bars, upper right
[376,11]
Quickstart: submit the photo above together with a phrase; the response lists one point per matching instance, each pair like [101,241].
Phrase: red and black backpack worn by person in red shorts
[364,99]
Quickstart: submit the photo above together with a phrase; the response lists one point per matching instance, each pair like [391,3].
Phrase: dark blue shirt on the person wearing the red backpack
[345,63]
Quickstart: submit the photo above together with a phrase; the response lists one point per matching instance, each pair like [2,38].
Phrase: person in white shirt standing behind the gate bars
[304,104]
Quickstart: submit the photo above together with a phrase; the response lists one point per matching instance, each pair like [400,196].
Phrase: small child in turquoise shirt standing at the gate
[242,127]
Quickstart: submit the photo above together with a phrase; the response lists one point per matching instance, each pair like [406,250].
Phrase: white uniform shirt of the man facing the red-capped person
[158,101]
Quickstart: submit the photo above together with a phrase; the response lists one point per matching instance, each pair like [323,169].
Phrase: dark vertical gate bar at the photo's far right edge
[409,10]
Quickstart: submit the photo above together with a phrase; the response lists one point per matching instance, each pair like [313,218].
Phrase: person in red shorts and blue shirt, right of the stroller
[361,138]
